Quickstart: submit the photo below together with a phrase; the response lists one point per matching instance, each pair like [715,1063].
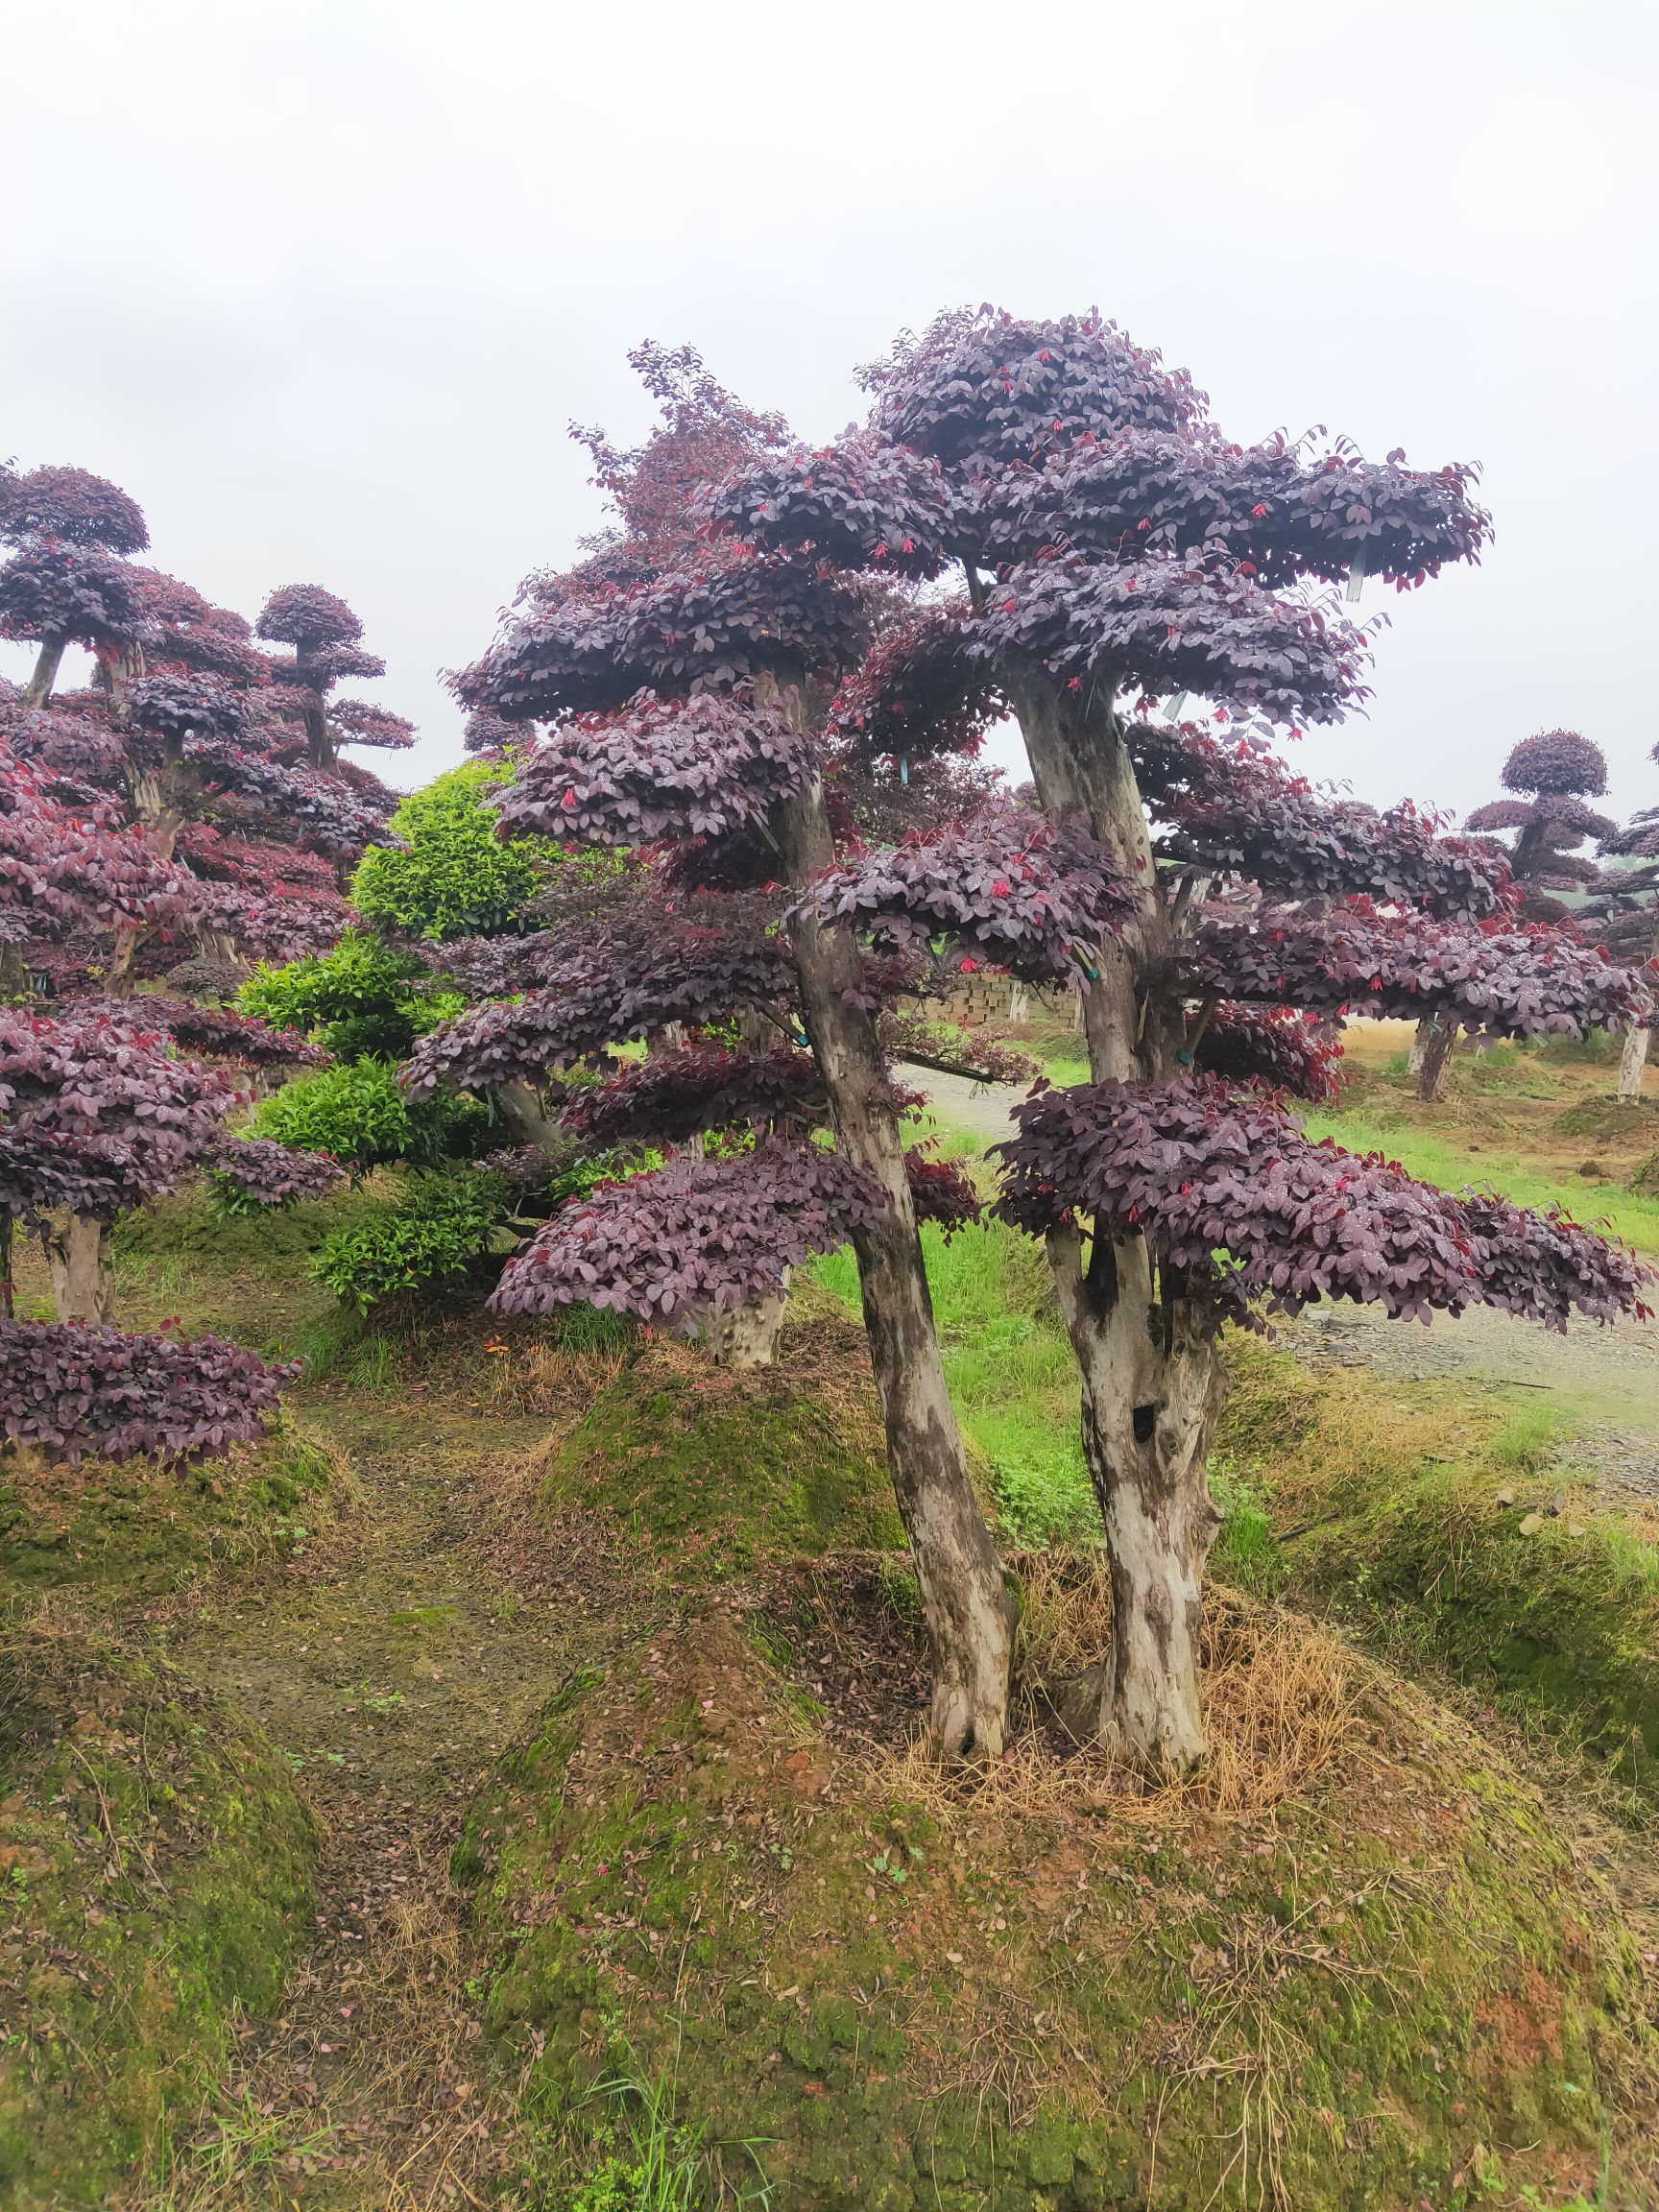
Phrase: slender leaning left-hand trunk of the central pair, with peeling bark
[957,1565]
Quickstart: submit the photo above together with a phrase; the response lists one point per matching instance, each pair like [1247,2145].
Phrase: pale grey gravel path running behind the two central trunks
[1605,1381]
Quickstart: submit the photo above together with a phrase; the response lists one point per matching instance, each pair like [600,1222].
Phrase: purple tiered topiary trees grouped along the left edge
[185,813]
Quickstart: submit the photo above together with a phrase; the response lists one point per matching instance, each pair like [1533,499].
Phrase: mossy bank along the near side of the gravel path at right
[1446,1538]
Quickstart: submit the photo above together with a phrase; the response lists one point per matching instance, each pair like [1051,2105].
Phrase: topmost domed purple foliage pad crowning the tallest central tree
[981,386]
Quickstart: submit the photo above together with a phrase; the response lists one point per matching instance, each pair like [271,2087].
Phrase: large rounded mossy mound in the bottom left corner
[154,1879]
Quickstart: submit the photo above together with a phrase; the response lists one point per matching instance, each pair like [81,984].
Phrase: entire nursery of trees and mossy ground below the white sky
[643,1574]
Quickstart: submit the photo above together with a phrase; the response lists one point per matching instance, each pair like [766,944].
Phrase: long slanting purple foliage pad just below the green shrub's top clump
[592,1003]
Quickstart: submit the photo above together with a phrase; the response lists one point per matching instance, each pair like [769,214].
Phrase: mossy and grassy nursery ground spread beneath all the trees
[501,1786]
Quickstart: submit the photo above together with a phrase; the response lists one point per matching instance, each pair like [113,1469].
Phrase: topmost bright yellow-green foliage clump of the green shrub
[452,877]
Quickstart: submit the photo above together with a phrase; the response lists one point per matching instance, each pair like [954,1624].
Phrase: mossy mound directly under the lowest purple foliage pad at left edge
[138,1532]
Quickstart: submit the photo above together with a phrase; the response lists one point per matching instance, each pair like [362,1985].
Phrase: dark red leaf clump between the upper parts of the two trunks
[919,691]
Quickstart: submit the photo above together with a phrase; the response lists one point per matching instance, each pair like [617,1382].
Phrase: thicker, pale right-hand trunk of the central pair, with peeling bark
[1151,1381]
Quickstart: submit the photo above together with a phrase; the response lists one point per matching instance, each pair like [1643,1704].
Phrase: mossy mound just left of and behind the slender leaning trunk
[724,1468]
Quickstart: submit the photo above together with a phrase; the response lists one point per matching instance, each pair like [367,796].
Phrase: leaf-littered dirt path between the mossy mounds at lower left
[393,1676]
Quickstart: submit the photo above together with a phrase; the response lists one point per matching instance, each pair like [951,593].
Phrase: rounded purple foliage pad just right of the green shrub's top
[658,769]
